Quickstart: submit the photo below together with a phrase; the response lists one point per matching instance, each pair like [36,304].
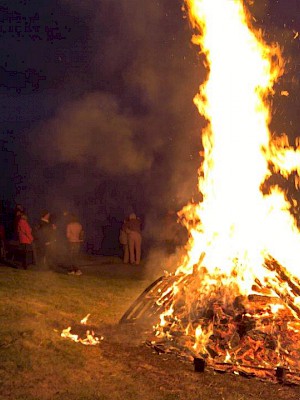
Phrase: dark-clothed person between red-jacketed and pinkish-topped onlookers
[44,235]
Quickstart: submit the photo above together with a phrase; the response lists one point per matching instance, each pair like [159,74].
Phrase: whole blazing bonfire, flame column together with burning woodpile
[238,289]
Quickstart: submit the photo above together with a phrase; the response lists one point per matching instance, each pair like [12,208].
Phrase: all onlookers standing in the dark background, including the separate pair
[58,241]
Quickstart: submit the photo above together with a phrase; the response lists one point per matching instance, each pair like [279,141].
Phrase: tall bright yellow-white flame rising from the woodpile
[237,227]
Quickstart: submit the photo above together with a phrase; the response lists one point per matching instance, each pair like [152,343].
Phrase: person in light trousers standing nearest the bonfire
[133,228]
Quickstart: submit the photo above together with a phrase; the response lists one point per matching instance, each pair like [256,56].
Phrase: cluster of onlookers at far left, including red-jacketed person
[50,242]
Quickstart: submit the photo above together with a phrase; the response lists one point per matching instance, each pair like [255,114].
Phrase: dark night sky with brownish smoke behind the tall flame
[96,102]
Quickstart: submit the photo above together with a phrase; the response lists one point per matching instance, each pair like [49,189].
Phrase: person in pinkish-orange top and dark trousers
[74,233]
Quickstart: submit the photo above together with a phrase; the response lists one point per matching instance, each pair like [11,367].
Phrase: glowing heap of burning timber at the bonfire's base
[256,335]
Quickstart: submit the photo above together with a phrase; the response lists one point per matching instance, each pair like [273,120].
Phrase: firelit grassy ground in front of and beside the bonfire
[36,363]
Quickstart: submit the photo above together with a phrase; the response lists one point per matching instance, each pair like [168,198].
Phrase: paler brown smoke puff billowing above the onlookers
[94,131]
